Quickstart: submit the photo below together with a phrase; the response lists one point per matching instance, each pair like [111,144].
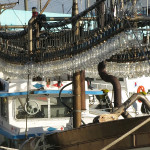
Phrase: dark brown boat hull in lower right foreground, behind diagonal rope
[98,136]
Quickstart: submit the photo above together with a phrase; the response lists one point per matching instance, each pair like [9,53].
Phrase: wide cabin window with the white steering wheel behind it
[47,107]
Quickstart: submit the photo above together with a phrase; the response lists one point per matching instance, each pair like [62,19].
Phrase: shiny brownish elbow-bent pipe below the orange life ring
[130,101]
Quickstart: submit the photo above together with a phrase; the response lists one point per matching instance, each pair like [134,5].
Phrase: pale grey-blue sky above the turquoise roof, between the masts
[55,6]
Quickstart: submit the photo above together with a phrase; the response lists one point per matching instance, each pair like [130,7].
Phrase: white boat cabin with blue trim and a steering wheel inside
[46,113]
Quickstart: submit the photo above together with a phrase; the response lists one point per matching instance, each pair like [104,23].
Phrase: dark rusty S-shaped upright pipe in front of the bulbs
[113,80]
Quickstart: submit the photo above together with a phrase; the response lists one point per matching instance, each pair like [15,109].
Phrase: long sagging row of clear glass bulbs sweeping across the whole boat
[79,62]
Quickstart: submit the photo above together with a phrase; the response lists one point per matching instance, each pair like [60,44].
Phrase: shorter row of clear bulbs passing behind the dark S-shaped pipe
[124,70]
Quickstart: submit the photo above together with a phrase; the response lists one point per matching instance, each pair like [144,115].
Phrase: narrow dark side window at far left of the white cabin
[4,107]
